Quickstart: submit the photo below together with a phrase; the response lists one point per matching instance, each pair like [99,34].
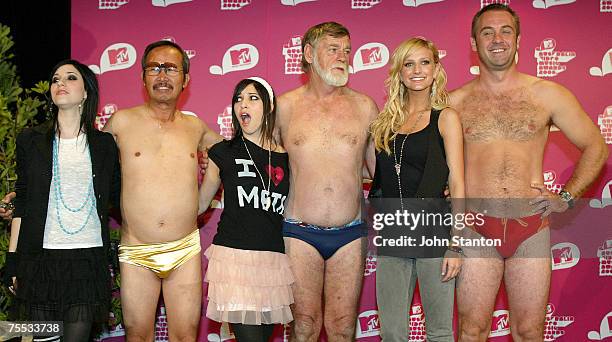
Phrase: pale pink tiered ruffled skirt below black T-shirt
[248,287]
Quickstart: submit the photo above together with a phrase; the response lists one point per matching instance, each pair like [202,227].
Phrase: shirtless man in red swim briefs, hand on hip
[506,117]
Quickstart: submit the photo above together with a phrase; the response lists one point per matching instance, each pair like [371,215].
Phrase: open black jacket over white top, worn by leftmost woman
[34,171]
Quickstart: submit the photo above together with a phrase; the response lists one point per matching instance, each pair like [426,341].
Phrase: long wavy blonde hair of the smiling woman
[385,127]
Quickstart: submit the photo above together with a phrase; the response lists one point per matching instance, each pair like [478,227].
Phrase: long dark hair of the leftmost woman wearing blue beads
[90,105]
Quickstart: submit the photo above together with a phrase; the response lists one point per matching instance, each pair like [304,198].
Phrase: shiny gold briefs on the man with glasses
[163,257]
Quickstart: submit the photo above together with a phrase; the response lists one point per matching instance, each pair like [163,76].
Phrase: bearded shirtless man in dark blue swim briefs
[324,128]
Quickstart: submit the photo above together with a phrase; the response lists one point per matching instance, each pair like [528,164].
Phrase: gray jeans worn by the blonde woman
[395,283]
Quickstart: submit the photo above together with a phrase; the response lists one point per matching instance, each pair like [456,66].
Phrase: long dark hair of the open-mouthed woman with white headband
[269,113]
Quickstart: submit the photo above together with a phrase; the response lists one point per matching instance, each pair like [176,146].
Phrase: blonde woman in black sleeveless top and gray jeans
[419,150]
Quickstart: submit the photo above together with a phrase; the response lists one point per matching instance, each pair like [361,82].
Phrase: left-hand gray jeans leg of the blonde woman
[395,282]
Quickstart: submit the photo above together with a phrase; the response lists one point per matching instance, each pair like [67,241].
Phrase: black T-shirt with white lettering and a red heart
[245,224]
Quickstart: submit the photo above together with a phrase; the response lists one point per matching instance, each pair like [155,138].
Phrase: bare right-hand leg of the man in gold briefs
[182,292]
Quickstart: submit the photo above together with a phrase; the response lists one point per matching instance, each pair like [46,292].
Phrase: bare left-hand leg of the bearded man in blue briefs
[307,266]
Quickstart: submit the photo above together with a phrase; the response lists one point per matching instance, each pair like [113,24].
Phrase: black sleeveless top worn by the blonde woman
[424,174]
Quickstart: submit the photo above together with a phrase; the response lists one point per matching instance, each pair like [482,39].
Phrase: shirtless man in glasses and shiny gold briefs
[160,242]
